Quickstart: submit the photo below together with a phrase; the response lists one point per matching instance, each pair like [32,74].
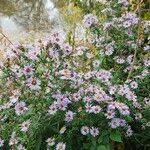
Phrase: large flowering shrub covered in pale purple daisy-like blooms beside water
[57,96]
